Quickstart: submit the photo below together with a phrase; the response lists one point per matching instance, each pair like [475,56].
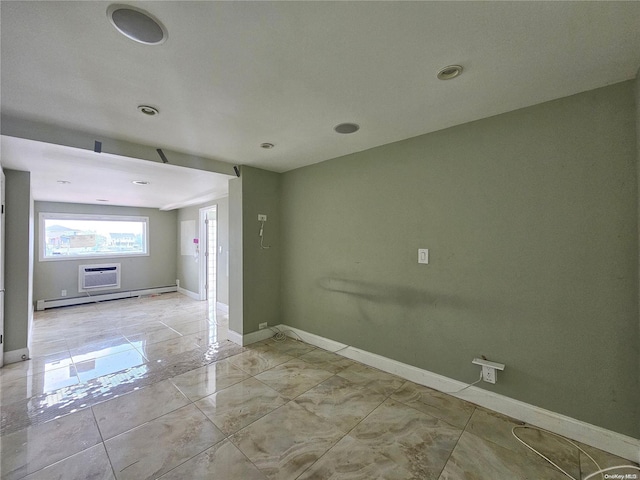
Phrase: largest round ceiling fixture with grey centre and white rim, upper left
[136,24]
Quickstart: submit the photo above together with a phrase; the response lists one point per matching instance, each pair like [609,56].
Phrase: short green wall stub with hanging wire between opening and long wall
[254,271]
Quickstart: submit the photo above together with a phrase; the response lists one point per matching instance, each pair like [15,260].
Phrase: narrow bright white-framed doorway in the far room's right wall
[208,258]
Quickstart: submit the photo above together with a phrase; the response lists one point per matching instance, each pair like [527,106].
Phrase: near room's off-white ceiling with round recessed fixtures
[235,74]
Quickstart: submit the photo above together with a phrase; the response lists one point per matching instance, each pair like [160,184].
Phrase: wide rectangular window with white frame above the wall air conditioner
[66,236]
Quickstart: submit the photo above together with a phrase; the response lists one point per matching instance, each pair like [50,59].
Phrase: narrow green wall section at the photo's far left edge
[18,259]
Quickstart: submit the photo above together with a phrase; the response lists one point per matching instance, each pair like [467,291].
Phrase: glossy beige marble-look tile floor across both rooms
[150,388]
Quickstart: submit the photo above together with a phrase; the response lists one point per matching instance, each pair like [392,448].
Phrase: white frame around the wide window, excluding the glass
[82,216]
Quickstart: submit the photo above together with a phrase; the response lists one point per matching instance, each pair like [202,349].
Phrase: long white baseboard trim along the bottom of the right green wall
[598,437]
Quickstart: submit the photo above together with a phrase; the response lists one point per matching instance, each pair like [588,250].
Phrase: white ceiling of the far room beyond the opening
[94,176]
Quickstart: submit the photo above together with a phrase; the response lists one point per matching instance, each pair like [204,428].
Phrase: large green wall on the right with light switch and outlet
[531,220]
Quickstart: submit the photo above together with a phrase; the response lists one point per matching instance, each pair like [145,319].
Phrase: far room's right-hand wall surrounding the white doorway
[188,268]
